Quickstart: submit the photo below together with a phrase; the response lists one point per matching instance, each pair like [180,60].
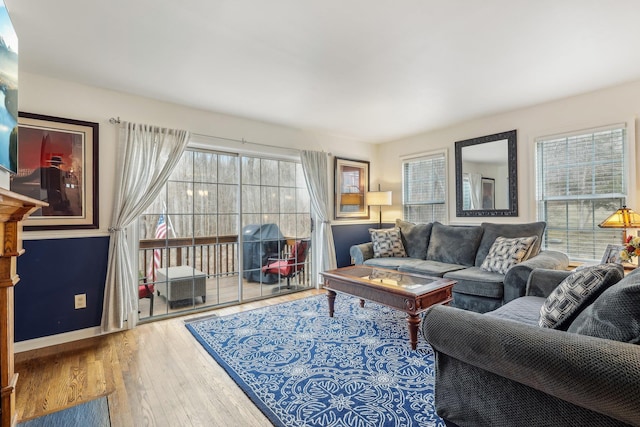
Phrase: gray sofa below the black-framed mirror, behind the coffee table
[457,252]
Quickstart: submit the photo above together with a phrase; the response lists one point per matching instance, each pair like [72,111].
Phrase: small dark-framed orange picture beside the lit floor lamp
[351,187]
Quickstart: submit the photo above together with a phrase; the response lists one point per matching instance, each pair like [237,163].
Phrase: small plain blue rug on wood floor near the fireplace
[94,413]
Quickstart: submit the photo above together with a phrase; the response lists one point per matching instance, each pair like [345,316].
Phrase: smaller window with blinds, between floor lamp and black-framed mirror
[424,189]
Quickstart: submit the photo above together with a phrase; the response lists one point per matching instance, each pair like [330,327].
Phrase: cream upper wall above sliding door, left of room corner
[43,95]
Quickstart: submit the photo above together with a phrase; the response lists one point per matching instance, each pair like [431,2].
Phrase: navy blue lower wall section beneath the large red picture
[53,271]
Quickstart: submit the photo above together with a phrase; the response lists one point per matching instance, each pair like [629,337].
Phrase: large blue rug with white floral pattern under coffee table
[304,368]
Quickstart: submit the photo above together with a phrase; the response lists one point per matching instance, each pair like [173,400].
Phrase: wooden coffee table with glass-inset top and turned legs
[409,293]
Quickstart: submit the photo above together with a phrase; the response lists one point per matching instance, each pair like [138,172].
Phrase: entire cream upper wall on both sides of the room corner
[43,95]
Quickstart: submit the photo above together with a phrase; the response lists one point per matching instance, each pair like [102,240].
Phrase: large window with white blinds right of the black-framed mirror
[581,180]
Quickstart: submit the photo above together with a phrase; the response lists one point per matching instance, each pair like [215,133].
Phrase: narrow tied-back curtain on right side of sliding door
[314,165]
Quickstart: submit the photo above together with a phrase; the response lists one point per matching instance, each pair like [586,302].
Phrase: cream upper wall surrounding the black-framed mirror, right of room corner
[614,105]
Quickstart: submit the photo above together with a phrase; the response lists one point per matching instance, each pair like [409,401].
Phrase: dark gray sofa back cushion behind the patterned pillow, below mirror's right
[492,231]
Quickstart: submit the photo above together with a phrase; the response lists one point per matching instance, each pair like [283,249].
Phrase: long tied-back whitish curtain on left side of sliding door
[148,155]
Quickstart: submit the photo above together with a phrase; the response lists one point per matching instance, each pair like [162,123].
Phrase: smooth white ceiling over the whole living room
[372,70]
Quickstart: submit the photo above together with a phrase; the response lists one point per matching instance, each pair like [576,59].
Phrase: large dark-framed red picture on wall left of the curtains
[58,164]
